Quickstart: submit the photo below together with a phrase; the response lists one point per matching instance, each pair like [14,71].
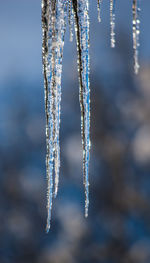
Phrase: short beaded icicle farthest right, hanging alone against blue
[136,31]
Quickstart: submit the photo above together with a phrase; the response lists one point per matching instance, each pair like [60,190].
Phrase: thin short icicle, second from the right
[112,23]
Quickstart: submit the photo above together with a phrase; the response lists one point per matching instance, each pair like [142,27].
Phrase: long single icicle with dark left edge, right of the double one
[82,35]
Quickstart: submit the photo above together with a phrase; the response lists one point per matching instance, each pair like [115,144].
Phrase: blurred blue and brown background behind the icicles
[118,227]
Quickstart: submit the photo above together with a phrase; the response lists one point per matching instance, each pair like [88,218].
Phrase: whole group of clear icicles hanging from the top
[54,15]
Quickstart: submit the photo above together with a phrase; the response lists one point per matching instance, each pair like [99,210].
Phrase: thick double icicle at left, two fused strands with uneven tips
[53,24]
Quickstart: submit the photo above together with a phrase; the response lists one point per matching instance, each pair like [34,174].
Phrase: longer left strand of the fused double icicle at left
[46,14]
